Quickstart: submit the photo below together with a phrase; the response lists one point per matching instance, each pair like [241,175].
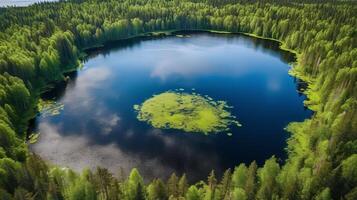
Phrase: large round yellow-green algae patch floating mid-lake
[186,111]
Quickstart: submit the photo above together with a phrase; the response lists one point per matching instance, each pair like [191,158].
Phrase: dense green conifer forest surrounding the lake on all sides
[40,42]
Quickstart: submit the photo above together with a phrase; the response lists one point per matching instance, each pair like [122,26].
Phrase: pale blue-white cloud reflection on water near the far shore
[195,60]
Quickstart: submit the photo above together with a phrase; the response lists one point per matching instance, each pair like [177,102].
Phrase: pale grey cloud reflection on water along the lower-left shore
[78,152]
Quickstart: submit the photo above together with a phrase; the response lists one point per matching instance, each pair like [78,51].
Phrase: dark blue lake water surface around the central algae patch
[98,126]
